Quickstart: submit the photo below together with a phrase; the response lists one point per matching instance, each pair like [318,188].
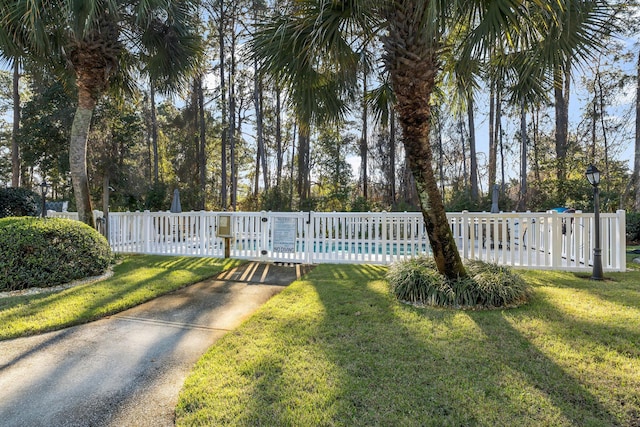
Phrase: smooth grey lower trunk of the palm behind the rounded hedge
[78,160]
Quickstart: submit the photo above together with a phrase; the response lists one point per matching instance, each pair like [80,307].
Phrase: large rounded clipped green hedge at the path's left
[49,252]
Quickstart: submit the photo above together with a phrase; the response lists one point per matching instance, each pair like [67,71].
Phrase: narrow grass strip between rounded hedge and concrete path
[137,279]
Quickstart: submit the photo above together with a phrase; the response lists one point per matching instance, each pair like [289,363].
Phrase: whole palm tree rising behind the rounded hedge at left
[97,46]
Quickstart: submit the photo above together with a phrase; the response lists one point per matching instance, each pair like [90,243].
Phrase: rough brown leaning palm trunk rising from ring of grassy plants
[413,65]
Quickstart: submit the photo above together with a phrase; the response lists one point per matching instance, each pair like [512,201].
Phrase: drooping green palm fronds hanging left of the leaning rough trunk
[315,53]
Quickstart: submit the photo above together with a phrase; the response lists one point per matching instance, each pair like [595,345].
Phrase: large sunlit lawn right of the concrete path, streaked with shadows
[335,349]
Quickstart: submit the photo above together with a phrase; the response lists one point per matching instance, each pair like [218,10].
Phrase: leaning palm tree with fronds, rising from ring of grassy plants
[415,34]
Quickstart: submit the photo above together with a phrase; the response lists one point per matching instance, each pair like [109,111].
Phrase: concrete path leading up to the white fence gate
[127,370]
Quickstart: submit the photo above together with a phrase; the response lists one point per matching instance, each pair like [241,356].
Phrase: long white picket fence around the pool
[543,240]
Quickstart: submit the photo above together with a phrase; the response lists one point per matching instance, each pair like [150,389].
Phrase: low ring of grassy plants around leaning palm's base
[417,280]
